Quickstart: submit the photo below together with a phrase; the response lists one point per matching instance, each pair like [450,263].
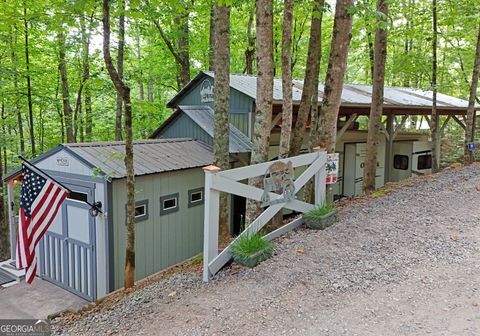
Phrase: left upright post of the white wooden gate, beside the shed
[211,222]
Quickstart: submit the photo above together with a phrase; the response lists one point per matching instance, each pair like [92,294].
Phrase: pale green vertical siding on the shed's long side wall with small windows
[160,241]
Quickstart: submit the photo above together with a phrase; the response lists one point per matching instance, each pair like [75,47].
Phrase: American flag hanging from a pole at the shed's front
[40,199]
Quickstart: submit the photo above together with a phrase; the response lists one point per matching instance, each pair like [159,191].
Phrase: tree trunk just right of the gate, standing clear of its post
[376,110]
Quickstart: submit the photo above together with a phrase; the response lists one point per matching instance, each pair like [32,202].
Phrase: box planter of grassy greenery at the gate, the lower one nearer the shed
[250,250]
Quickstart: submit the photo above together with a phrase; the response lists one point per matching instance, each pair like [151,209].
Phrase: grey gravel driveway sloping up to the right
[407,263]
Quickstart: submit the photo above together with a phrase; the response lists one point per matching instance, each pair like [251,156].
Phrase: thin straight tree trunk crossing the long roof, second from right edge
[435,119]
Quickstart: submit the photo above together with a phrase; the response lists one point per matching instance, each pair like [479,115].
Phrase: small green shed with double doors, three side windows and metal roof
[84,252]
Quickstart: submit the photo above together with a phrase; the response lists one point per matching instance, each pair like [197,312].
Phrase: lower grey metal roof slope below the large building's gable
[202,115]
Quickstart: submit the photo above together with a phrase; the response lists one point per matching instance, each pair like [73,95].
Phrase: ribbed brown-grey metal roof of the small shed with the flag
[149,156]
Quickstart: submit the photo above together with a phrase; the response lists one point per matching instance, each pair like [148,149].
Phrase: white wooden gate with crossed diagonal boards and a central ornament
[217,181]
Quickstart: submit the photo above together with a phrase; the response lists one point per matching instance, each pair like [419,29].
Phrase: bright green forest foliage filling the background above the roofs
[150,68]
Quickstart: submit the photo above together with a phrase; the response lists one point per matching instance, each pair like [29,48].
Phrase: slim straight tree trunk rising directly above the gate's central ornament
[287,105]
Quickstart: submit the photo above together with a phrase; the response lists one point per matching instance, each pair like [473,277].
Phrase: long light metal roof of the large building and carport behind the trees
[356,95]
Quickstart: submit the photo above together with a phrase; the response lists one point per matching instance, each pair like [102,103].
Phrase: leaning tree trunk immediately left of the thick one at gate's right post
[311,73]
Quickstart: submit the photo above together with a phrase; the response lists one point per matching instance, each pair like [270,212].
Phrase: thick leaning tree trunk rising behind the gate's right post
[337,63]
